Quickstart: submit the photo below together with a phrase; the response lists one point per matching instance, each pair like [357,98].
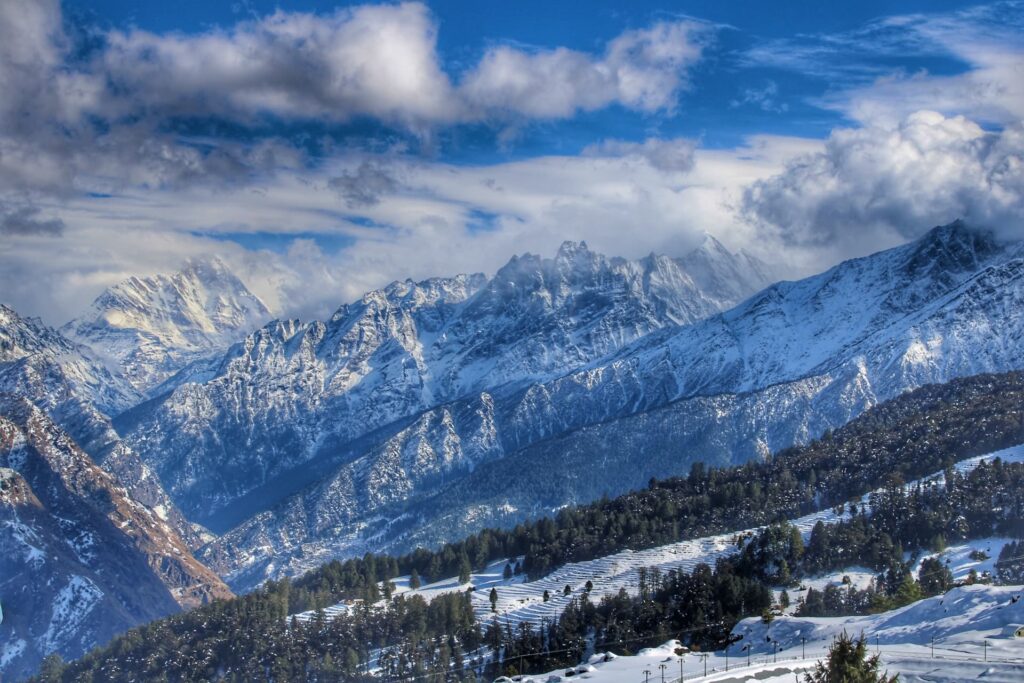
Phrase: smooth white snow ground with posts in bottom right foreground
[960,621]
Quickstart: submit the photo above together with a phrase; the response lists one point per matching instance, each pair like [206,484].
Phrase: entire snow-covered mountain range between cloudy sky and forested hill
[428,410]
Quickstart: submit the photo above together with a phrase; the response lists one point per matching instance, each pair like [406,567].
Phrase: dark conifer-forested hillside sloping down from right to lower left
[919,434]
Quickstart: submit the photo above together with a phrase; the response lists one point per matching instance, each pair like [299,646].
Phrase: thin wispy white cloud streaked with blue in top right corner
[986,40]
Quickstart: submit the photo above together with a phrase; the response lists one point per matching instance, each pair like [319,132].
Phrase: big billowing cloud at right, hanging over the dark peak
[877,185]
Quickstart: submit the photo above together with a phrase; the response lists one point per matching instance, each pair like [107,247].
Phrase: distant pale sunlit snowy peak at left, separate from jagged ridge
[153,327]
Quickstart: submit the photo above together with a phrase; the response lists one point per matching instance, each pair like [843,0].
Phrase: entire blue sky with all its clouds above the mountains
[325,149]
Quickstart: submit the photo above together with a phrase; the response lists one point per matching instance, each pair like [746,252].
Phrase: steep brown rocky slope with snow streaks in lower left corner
[82,561]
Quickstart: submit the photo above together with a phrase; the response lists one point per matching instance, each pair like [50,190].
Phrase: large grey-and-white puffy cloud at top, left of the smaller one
[377,62]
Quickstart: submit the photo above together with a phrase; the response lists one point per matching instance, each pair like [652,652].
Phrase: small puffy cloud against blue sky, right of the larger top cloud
[644,70]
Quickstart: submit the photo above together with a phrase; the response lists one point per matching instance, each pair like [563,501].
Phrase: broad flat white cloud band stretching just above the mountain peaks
[430,226]
